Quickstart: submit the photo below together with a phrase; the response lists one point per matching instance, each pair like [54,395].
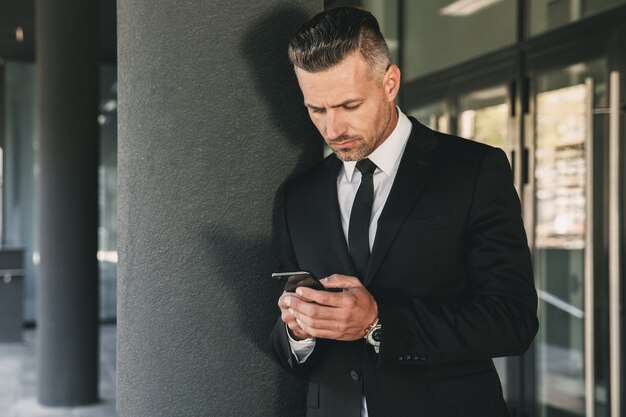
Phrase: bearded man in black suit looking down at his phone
[422,234]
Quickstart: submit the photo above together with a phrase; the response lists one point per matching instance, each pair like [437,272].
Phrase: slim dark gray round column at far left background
[67,292]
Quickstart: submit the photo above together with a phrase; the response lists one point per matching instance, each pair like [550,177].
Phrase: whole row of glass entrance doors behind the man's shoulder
[570,178]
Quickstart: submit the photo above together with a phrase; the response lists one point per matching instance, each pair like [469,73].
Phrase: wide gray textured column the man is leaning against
[210,123]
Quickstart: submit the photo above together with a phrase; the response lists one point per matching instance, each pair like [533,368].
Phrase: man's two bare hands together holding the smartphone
[331,315]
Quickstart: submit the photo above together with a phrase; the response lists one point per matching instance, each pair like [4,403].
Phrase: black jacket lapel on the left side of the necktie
[330,214]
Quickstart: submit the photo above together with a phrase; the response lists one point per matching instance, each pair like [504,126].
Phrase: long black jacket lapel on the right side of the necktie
[413,172]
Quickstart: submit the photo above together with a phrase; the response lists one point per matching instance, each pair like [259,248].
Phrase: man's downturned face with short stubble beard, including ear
[353,112]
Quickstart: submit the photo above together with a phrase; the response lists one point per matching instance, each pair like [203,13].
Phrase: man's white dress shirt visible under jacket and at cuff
[387,159]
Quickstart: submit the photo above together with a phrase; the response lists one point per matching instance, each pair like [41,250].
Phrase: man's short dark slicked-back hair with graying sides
[330,36]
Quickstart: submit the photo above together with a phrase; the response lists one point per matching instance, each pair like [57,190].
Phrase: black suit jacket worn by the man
[450,270]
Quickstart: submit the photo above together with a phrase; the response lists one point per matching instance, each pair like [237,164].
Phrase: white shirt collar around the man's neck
[387,155]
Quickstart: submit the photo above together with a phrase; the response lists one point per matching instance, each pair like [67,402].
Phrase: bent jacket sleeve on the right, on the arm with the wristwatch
[496,314]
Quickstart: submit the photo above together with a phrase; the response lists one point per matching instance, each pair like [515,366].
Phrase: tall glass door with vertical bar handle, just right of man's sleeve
[568,143]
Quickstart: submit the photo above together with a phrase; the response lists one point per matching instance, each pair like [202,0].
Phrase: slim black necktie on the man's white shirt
[359,228]
